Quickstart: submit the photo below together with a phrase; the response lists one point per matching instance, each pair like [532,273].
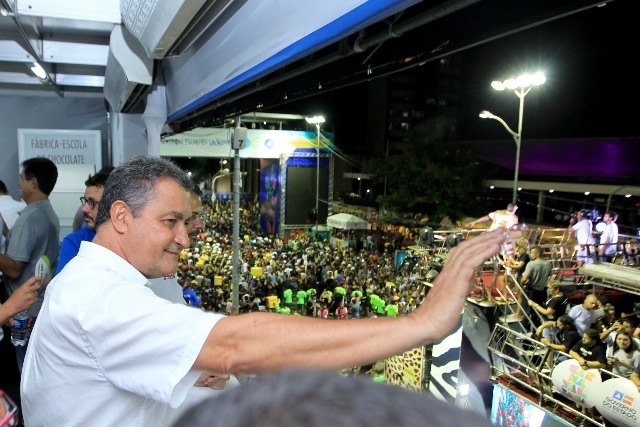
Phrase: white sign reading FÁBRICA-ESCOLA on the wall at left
[62,146]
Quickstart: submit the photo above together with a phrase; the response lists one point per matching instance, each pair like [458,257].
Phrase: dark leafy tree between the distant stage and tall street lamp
[441,179]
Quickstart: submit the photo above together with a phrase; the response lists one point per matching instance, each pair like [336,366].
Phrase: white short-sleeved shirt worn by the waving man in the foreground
[107,351]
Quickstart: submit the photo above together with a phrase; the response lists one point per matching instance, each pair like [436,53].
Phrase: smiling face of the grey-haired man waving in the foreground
[155,238]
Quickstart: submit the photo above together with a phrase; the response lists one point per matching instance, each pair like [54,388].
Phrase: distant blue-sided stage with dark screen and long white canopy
[287,170]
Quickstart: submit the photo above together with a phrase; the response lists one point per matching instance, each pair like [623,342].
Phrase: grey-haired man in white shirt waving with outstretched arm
[106,350]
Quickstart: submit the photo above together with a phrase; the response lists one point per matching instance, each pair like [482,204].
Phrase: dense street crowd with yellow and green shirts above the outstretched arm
[295,274]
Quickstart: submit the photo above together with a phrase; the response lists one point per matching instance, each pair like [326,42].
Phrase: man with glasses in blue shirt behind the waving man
[89,203]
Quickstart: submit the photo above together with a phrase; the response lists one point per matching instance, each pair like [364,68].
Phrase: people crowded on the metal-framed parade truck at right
[595,332]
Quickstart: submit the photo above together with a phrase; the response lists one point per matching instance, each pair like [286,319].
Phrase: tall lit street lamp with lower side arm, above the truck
[521,87]
